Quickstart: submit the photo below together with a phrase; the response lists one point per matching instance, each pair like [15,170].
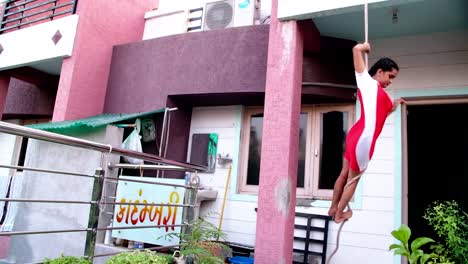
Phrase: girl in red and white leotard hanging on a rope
[376,105]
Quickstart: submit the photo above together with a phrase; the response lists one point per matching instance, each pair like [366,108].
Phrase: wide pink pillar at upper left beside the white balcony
[83,78]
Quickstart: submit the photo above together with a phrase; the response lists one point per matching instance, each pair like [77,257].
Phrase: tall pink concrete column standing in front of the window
[278,171]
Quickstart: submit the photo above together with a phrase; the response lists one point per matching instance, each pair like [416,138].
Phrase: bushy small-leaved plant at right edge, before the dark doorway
[451,225]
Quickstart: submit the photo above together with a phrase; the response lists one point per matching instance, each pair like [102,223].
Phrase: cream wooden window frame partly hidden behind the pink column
[312,162]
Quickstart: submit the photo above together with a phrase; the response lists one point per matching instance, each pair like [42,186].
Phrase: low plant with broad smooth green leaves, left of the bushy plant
[414,253]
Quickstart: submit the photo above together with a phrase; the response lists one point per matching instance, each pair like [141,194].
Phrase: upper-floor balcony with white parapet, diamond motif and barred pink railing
[37,33]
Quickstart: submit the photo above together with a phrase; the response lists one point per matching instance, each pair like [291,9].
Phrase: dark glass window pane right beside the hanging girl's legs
[332,138]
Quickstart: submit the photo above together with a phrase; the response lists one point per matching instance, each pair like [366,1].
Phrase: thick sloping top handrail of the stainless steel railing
[76,142]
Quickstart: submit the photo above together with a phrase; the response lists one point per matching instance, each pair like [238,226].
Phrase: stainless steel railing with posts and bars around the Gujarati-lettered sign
[99,179]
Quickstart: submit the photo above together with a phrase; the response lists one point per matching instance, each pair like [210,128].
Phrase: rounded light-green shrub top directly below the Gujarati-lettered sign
[140,257]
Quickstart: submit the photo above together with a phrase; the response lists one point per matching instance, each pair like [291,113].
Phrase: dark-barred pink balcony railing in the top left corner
[19,14]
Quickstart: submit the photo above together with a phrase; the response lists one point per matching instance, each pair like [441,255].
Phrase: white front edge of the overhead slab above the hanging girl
[302,9]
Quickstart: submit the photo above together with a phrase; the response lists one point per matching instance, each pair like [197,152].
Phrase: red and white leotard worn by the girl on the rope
[375,107]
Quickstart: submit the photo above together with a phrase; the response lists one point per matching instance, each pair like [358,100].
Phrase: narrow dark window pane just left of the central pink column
[255,148]
